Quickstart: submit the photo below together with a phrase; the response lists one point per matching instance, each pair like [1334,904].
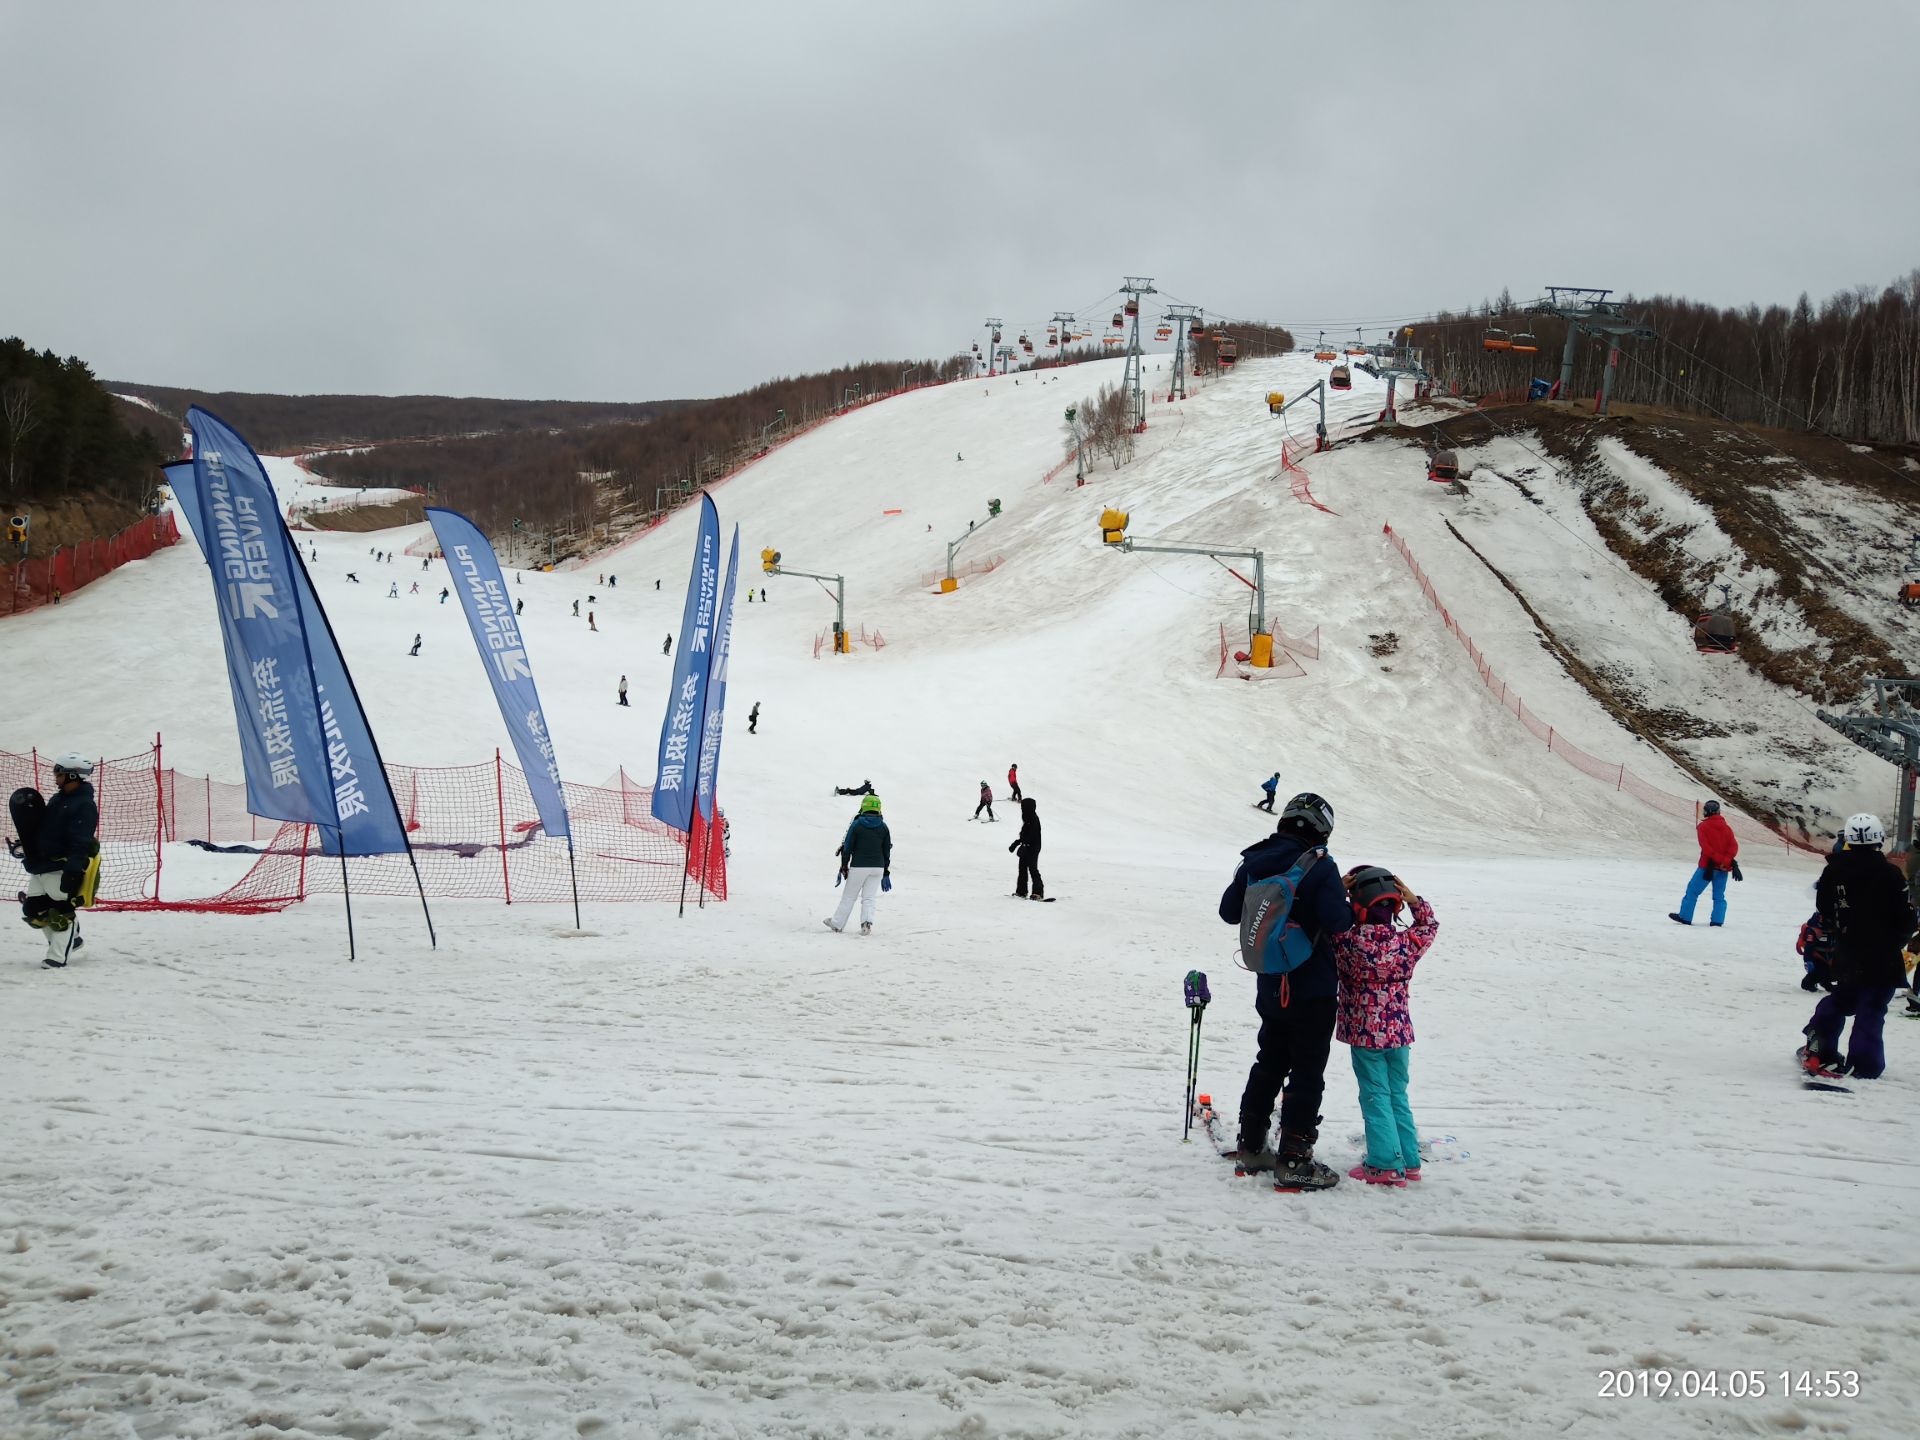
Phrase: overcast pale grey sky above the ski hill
[650,201]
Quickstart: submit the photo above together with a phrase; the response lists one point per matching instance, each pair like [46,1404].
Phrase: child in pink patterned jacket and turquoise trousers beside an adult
[1376,961]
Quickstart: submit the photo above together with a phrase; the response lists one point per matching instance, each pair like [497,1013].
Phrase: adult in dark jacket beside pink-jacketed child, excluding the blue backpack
[1297,1011]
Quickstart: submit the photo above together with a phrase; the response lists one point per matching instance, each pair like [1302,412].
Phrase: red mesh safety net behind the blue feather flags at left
[475,834]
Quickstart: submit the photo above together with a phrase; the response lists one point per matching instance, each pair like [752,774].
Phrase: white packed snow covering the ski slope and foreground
[736,1176]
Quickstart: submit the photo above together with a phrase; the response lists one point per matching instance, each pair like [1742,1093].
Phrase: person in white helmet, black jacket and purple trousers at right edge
[1863,901]
